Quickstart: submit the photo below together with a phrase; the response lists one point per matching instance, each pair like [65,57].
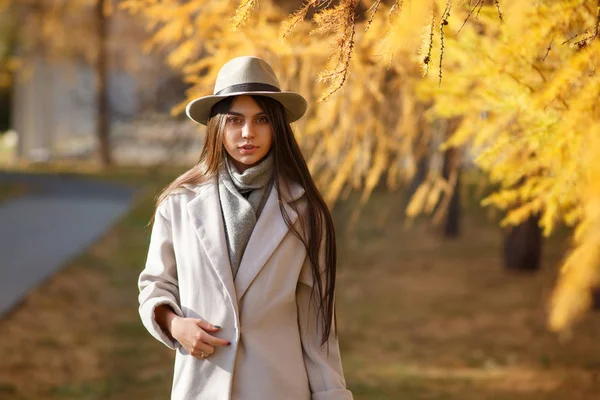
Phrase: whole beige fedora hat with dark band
[246,76]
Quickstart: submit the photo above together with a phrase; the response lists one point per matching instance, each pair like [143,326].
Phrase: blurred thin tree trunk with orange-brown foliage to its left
[59,30]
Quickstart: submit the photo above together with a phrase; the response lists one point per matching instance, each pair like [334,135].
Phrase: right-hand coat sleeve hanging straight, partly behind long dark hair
[323,363]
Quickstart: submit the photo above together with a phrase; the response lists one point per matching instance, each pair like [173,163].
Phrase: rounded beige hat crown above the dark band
[244,70]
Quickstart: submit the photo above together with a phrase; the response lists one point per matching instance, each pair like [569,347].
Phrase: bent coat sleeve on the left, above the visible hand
[158,283]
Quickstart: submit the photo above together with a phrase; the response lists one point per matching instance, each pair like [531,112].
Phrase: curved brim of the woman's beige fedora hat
[199,109]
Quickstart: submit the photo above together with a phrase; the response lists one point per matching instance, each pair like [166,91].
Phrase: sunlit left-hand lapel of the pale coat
[205,213]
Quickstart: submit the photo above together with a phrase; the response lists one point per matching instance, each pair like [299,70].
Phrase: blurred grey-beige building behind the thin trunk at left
[53,103]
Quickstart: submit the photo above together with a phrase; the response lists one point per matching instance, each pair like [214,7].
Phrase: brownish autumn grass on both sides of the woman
[420,317]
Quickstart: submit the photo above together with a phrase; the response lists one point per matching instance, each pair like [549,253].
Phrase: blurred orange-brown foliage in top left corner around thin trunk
[59,30]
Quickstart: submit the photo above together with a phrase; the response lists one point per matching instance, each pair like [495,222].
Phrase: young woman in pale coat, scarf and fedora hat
[240,273]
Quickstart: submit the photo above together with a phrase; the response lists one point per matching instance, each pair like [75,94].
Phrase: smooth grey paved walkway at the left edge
[42,230]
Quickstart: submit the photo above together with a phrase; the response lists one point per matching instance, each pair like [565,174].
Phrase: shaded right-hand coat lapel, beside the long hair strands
[269,231]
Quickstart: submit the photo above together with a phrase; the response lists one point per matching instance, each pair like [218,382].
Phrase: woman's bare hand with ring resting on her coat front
[193,335]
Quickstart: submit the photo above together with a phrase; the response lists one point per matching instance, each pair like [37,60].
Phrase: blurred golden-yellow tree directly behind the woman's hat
[371,123]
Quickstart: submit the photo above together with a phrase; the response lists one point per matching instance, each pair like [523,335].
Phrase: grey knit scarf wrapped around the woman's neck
[242,198]
